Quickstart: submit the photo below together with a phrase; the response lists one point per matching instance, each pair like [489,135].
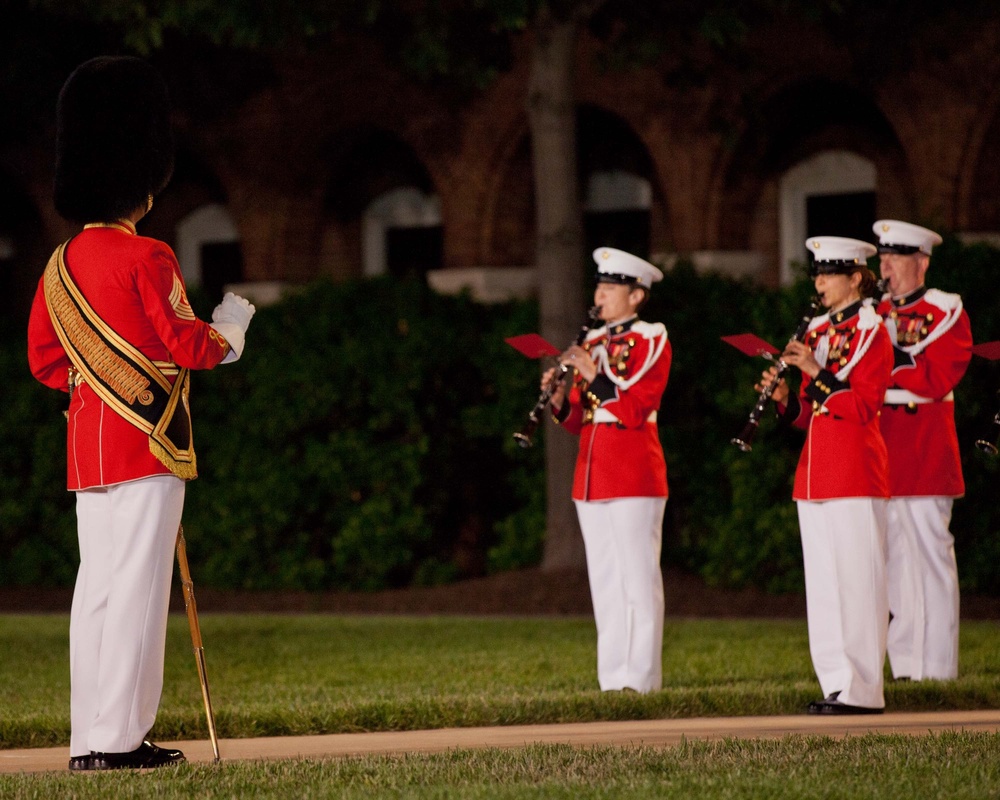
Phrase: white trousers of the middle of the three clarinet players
[847,602]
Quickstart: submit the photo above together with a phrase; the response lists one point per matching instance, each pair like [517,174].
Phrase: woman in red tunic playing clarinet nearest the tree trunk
[620,481]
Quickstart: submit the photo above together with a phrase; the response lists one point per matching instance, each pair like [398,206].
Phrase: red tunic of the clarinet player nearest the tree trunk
[615,416]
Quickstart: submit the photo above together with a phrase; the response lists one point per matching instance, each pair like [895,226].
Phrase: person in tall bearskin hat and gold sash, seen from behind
[111,325]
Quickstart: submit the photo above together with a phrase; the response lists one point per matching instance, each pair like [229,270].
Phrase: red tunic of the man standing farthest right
[933,349]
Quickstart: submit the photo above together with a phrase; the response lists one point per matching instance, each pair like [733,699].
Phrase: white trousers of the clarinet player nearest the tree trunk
[622,538]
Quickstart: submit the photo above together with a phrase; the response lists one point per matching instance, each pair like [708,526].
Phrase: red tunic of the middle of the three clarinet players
[844,454]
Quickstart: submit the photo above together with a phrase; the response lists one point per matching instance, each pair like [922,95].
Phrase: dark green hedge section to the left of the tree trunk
[362,441]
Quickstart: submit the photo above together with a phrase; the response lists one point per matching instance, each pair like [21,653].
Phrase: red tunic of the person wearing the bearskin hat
[135,285]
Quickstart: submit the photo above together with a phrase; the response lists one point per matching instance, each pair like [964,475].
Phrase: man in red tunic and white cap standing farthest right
[932,343]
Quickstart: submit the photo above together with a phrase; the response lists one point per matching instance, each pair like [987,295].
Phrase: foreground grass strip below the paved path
[952,766]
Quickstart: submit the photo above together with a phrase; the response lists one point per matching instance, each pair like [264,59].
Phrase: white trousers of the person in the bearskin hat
[118,623]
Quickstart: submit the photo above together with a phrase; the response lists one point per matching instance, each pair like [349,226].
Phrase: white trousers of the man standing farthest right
[923,589]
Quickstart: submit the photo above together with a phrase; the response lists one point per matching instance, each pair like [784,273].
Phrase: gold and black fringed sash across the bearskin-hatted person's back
[123,377]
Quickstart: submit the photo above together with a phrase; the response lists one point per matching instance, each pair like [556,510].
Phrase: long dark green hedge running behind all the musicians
[364,441]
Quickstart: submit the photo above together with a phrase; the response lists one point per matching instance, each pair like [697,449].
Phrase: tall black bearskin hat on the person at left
[114,146]
